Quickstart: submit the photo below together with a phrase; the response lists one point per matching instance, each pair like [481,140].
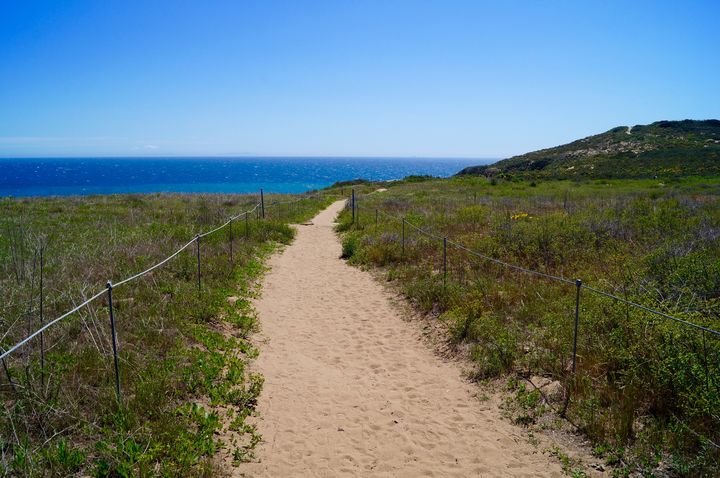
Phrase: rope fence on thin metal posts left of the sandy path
[260,210]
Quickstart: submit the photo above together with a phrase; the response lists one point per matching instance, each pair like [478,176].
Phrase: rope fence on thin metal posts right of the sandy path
[443,242]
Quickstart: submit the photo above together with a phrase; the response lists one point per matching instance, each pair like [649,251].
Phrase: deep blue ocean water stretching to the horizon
[81,176]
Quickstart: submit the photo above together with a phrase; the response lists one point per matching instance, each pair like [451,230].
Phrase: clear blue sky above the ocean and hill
[384,77]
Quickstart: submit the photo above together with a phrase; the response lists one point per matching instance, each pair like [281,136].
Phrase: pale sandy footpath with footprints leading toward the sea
[352,390]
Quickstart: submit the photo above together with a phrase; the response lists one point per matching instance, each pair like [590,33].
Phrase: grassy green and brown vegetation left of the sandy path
[183,351]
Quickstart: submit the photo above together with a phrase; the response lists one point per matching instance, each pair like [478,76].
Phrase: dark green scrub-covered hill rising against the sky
[663,148]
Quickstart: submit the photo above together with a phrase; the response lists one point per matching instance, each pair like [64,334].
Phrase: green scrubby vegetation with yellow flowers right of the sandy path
[646,389]
